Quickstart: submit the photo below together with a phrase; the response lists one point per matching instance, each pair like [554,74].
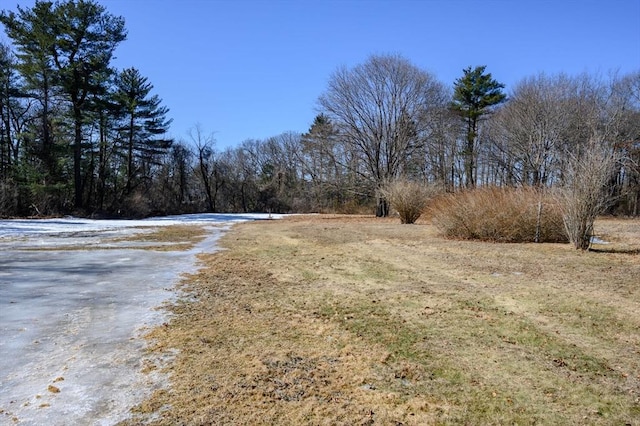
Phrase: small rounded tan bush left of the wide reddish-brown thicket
[408,198]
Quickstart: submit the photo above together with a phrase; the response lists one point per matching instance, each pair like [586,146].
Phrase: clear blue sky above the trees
[255,68]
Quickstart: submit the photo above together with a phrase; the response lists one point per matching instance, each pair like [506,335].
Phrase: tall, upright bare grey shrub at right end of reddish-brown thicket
[585,194]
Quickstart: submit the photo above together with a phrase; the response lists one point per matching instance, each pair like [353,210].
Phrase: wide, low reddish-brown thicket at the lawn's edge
[500,215]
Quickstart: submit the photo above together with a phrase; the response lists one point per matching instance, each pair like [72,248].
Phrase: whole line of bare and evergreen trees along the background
[78,136]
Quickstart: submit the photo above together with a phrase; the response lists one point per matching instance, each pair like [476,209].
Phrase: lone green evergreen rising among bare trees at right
[473,96]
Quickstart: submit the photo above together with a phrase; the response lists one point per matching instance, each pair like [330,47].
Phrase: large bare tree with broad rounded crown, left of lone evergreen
[379,110]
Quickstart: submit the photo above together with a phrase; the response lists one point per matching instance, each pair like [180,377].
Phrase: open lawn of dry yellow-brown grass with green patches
[358,321]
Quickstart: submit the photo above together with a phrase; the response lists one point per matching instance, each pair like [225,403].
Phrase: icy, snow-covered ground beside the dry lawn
[71,319]
